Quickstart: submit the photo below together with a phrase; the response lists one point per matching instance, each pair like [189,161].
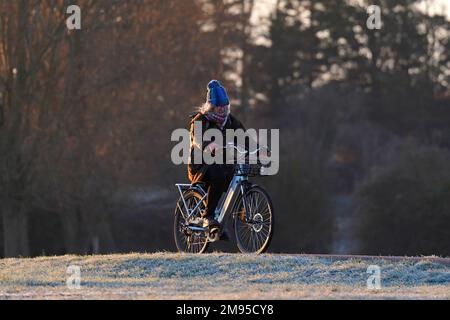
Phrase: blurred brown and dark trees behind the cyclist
[86,118]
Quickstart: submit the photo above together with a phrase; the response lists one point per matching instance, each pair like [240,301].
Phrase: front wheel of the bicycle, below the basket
[254,229]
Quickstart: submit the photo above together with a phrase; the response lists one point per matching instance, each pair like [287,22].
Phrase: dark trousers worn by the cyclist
[217,179]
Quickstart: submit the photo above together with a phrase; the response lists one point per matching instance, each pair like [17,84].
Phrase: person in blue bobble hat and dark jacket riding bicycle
[214,113]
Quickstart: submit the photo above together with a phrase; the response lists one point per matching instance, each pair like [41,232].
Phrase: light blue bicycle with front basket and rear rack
[247,204]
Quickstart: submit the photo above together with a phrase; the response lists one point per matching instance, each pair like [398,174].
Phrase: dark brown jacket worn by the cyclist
[196,172]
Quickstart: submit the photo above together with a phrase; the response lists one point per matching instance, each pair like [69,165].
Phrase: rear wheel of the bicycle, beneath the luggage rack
[187,240]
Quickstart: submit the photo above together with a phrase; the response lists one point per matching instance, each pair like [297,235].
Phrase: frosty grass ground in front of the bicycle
[223,276]
